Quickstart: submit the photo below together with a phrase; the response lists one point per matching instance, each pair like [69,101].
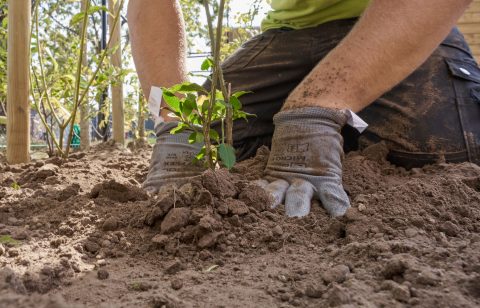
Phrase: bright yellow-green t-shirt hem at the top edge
[299,14]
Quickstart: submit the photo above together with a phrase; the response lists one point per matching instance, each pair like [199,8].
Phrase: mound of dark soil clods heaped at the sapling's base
[210,212]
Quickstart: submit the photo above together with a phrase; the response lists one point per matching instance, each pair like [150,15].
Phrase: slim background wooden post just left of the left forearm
[118,115]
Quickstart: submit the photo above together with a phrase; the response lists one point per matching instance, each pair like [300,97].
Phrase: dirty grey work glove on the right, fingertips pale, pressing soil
[306,161]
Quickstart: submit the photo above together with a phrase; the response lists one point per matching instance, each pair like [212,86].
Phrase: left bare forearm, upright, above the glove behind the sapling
[158,42]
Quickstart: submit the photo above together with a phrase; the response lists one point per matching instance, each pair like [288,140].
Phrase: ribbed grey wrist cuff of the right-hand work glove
[315,113]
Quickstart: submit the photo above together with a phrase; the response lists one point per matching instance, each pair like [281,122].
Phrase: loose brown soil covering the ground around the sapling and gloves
[82,233]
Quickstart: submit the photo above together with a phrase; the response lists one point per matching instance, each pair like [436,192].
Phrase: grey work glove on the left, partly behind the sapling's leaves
[172,158]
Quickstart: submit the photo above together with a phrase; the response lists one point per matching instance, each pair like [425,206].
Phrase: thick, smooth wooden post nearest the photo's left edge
[18,83]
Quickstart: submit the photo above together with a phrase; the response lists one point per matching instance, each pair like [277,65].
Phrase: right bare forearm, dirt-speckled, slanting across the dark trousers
[388,43]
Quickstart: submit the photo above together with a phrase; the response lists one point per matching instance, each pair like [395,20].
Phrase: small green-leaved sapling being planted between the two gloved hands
[197,108]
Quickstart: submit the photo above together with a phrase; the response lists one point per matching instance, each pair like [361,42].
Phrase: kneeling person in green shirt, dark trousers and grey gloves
[401,65]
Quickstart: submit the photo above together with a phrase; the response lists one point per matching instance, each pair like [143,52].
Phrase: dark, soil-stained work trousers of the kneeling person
[433,115]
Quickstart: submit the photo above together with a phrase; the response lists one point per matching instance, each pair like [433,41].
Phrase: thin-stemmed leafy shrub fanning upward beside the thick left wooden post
[57,94]
